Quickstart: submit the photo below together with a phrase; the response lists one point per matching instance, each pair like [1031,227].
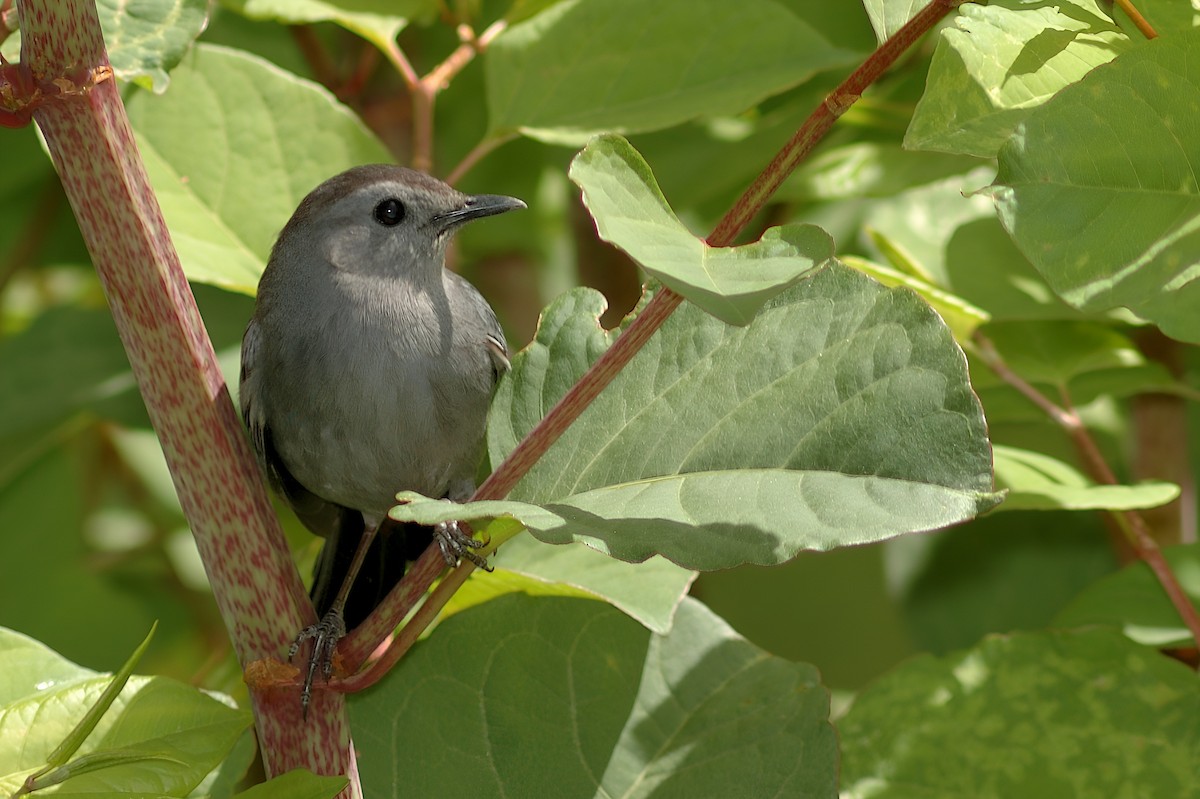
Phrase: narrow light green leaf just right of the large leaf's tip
[1037,482]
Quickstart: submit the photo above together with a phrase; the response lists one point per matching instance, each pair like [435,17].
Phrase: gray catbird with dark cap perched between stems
[368,369]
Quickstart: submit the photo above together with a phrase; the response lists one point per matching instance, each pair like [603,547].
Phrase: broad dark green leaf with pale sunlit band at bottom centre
[561,698]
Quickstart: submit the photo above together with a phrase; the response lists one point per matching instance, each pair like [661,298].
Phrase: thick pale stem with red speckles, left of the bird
[256,586]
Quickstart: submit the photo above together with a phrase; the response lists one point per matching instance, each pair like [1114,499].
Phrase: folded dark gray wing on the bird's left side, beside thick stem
[321,516]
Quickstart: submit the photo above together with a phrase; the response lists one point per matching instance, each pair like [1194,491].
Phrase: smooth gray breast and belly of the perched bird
[392,394]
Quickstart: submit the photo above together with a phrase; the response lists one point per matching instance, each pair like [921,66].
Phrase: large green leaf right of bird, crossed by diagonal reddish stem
[842,416]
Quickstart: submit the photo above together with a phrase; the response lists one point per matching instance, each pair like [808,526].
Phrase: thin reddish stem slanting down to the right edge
[1130,522]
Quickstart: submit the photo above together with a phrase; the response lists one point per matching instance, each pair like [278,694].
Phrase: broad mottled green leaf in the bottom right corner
[1085,714]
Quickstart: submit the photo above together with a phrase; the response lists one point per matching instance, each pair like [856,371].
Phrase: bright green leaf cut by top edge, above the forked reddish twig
[377,21]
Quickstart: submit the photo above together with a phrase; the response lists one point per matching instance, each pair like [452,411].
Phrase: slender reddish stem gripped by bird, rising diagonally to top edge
[531,449]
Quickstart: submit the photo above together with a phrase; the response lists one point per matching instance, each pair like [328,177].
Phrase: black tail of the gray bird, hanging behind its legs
[386,563]
